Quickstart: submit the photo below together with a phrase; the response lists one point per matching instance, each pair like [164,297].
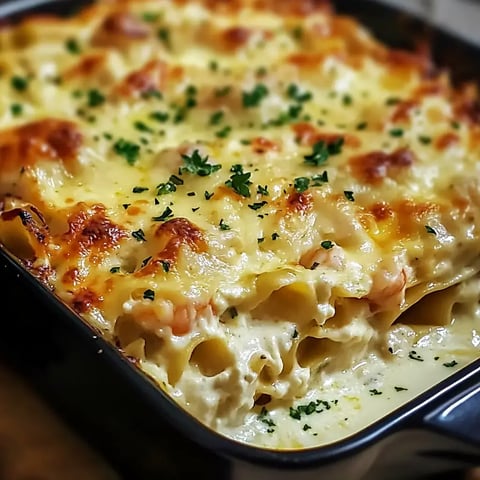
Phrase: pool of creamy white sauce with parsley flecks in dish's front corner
[345,402]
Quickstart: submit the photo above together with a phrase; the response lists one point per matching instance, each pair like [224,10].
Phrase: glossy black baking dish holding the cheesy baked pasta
[145,435]
